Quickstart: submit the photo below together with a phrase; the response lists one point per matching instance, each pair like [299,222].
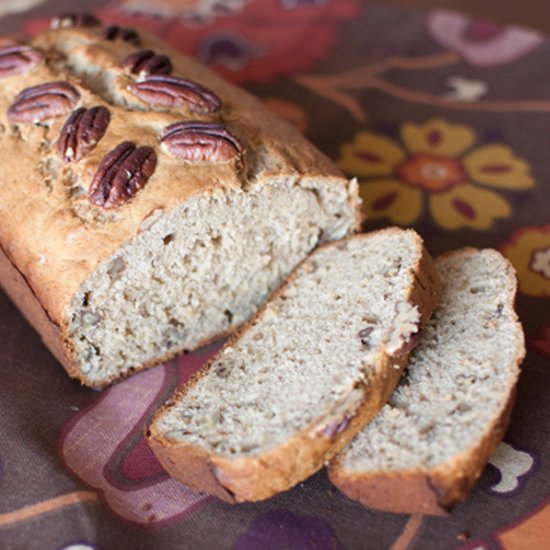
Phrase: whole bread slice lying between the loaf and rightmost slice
[305,375]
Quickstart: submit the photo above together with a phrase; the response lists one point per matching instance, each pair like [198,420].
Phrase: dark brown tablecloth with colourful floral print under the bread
[444,121]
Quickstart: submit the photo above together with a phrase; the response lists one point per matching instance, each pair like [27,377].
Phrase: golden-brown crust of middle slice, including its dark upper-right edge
[278,469]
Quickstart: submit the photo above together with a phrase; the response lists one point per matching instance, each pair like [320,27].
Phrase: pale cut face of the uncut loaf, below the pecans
[196,273]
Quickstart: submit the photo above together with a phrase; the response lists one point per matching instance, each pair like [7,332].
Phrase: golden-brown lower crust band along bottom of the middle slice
[258,478]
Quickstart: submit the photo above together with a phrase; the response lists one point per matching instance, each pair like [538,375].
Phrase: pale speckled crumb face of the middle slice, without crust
[303,363]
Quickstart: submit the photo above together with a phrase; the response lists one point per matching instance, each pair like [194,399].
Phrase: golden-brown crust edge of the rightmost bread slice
[436,490]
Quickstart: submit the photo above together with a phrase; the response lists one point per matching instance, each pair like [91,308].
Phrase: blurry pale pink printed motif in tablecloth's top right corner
[480,42]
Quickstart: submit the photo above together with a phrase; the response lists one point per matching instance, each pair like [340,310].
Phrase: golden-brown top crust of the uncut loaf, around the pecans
[75,238]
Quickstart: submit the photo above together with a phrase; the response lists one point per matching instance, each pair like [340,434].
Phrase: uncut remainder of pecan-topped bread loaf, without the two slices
[146,205]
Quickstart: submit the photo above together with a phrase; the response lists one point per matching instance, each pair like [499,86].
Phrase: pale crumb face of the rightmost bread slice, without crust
[459,377]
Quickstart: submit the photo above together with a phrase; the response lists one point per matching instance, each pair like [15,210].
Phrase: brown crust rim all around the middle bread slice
[259,475]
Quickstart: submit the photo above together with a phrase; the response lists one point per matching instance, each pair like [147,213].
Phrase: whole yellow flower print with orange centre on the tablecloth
[437,160]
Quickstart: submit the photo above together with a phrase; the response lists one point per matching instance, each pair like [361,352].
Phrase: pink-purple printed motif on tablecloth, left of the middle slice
[103,445]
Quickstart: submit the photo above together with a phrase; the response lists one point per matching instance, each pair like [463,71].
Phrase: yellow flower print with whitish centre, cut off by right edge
[529,252]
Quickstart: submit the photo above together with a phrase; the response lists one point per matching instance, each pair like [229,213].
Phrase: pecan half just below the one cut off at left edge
[44,101]
